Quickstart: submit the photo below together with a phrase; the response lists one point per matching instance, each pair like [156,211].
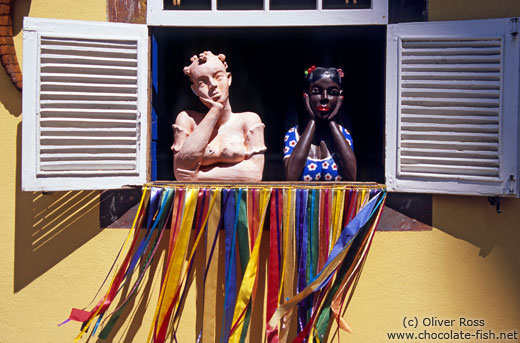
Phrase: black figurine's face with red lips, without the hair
[324,95]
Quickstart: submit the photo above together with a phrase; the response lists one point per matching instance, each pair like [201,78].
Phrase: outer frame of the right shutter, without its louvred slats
[508,117]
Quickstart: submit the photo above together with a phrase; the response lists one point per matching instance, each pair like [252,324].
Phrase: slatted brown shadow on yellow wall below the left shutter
[49,227]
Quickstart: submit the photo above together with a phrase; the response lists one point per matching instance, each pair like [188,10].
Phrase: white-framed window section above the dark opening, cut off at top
[232,13]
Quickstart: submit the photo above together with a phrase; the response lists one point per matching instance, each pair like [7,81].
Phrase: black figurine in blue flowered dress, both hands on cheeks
[319,149]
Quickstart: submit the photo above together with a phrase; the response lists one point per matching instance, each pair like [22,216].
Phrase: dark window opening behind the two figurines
[268,67]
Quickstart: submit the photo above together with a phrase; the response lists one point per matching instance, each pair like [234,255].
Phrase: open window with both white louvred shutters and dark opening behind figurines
[451,118]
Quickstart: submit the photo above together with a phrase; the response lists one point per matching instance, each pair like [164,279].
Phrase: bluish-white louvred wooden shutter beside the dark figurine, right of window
[452,107]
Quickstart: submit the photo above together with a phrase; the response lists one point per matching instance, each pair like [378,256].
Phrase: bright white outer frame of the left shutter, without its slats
[33,28]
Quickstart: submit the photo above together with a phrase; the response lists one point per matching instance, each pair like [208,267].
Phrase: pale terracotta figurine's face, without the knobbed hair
[211,81]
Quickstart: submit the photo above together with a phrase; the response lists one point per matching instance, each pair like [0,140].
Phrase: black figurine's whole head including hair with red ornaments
[323,87]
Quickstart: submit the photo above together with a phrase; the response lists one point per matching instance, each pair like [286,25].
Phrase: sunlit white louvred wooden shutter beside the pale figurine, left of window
[85,105]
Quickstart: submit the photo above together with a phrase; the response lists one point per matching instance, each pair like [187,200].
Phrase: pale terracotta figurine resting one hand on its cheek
[219,145]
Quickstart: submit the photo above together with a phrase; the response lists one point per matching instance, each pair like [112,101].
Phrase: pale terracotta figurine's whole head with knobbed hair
[209,76]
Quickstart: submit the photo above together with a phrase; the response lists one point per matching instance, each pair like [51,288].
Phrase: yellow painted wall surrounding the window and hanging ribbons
[54,254]
